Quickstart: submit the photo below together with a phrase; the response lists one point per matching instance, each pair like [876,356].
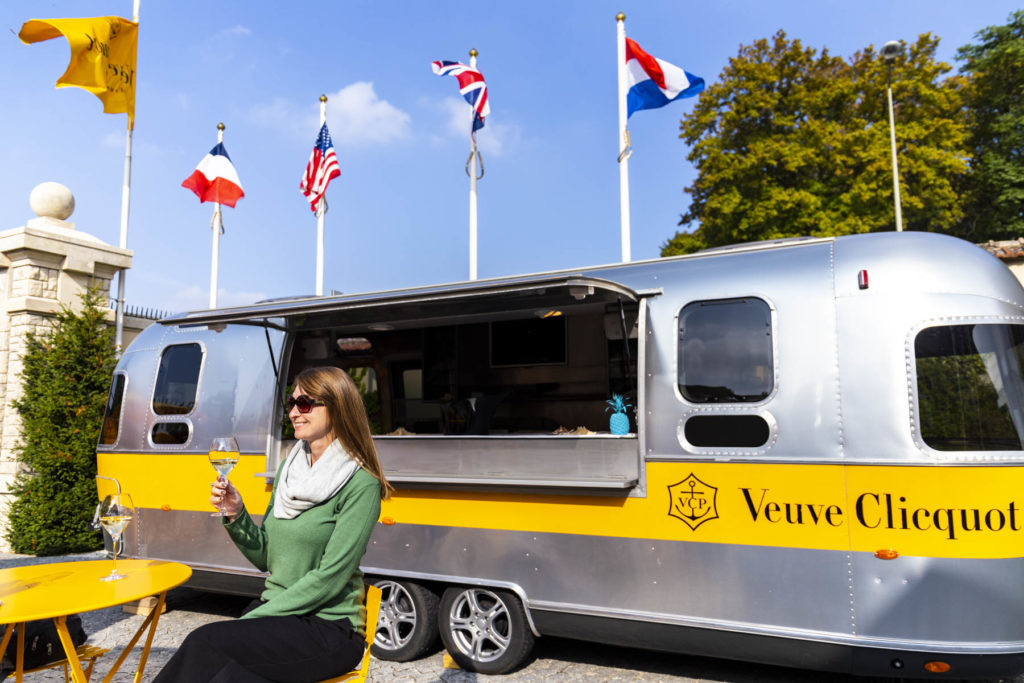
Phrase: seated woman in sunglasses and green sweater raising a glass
[310,623]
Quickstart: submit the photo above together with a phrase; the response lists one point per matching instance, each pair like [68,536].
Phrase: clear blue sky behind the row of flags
[399,215]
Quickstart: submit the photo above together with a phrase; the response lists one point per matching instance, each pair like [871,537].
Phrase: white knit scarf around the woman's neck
[303,486]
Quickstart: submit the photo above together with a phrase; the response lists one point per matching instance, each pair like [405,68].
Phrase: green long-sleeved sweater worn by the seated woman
[314,560]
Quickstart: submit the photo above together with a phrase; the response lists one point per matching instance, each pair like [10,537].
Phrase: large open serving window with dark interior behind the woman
[495,373]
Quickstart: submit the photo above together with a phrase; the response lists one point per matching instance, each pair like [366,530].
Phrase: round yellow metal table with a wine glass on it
[55,591]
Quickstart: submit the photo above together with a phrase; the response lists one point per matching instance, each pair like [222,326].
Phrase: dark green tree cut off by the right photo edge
[995,95]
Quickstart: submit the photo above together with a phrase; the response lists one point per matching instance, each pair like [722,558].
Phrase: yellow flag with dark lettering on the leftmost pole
[103,58]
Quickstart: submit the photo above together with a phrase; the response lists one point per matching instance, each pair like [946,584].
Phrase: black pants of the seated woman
[286,650]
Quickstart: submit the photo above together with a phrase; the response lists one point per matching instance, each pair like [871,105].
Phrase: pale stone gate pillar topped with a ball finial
[44,266]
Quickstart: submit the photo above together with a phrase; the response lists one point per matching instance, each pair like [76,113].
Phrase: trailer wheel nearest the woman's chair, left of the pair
[407,625]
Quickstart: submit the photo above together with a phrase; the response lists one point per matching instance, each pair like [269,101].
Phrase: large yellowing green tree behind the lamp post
[792,142]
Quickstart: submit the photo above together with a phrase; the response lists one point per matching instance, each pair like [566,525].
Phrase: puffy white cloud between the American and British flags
[357,115]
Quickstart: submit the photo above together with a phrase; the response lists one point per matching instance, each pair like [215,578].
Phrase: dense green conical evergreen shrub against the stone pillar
[65,380]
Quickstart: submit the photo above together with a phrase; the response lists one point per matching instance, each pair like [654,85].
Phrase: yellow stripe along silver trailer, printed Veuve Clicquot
[935,511]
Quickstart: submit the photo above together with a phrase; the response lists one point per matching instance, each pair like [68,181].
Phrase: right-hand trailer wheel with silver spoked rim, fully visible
[485,631]
